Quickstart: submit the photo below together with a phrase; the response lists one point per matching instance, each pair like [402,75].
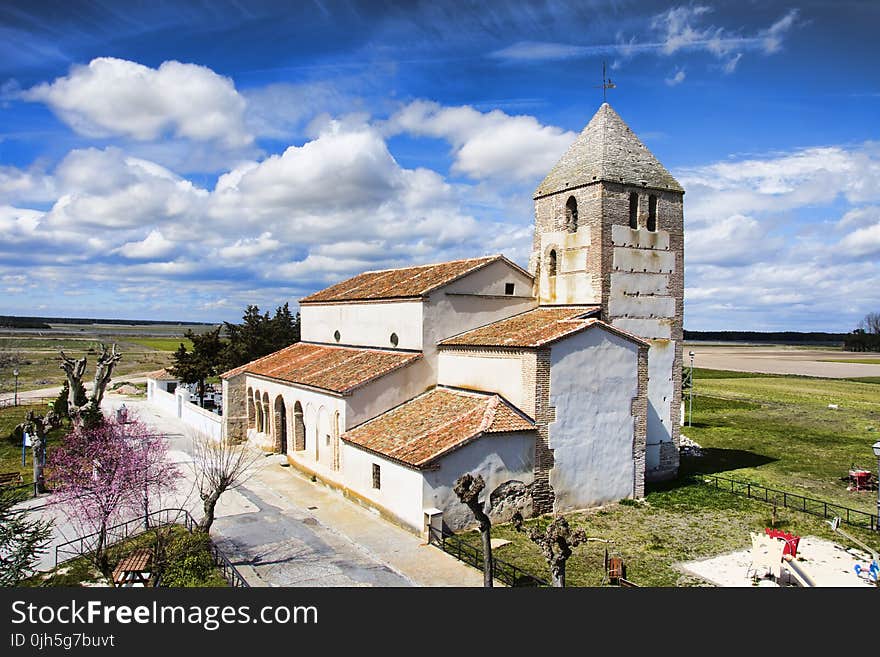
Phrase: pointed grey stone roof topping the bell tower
[607,150]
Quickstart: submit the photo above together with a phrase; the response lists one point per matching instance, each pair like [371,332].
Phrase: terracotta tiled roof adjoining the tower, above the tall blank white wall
[533,328]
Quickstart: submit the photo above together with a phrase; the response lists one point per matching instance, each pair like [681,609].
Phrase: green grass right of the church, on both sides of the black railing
[772,429]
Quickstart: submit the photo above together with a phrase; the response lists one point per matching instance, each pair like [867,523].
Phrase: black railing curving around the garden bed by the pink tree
[131,528]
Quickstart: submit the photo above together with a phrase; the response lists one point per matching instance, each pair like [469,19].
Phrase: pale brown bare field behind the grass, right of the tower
[782,360]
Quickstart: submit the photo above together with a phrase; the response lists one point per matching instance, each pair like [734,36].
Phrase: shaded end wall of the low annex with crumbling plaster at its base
[499,458]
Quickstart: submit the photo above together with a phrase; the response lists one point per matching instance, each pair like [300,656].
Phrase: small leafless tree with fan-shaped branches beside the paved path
[219,466]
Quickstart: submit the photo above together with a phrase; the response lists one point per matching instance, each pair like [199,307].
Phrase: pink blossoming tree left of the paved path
[106,474]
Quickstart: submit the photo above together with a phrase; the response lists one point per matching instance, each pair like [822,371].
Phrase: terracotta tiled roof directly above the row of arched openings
[339,369]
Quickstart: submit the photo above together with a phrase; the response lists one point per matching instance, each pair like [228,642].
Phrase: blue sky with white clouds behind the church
[182,160]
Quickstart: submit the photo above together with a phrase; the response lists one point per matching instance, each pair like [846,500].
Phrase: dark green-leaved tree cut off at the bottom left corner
[22,540]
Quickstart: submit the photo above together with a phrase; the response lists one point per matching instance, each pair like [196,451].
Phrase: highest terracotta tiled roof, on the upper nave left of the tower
[399,283]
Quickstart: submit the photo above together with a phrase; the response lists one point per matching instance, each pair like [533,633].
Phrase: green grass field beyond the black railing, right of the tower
[779,431]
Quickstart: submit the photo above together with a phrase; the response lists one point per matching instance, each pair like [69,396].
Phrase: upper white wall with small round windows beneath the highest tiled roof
[366,324]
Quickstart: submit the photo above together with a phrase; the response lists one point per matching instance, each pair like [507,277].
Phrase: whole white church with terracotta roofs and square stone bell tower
[560,385]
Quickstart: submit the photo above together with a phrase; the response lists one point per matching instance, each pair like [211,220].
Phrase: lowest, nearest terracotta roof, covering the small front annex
[435,423]
